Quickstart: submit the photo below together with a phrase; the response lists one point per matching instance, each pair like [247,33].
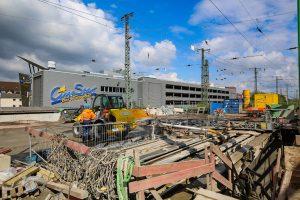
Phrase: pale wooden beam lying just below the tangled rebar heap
[75,192]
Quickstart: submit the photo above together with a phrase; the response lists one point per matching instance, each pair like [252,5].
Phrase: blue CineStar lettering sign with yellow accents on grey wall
[62,95]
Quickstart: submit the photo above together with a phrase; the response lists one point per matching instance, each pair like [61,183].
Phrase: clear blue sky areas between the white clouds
[156,21]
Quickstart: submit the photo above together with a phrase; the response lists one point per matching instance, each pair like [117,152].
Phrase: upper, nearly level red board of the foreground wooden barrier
[165,168]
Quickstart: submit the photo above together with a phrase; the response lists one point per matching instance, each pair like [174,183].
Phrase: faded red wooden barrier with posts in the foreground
[161,174]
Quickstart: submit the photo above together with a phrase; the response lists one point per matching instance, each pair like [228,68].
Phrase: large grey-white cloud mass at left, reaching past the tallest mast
[42,32]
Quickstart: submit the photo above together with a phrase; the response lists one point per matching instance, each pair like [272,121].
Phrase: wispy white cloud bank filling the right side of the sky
[225,42]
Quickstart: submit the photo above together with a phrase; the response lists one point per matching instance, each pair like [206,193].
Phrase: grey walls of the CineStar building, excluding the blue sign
[147,90]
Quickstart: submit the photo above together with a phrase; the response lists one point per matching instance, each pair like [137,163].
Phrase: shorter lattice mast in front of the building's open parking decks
[204,77]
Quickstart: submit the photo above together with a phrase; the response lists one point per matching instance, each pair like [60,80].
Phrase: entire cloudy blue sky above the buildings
[74,32]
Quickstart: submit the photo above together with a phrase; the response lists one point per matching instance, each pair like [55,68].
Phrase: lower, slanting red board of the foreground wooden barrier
[170,178]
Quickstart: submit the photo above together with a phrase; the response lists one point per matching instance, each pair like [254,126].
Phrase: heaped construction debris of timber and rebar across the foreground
[217,157]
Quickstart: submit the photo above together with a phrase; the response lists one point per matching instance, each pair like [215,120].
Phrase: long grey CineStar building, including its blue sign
[59,88]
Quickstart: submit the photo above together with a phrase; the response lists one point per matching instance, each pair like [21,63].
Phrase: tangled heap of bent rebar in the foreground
[94,172]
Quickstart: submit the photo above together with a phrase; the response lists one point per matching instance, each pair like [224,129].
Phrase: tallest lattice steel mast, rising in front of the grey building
[127,73]
